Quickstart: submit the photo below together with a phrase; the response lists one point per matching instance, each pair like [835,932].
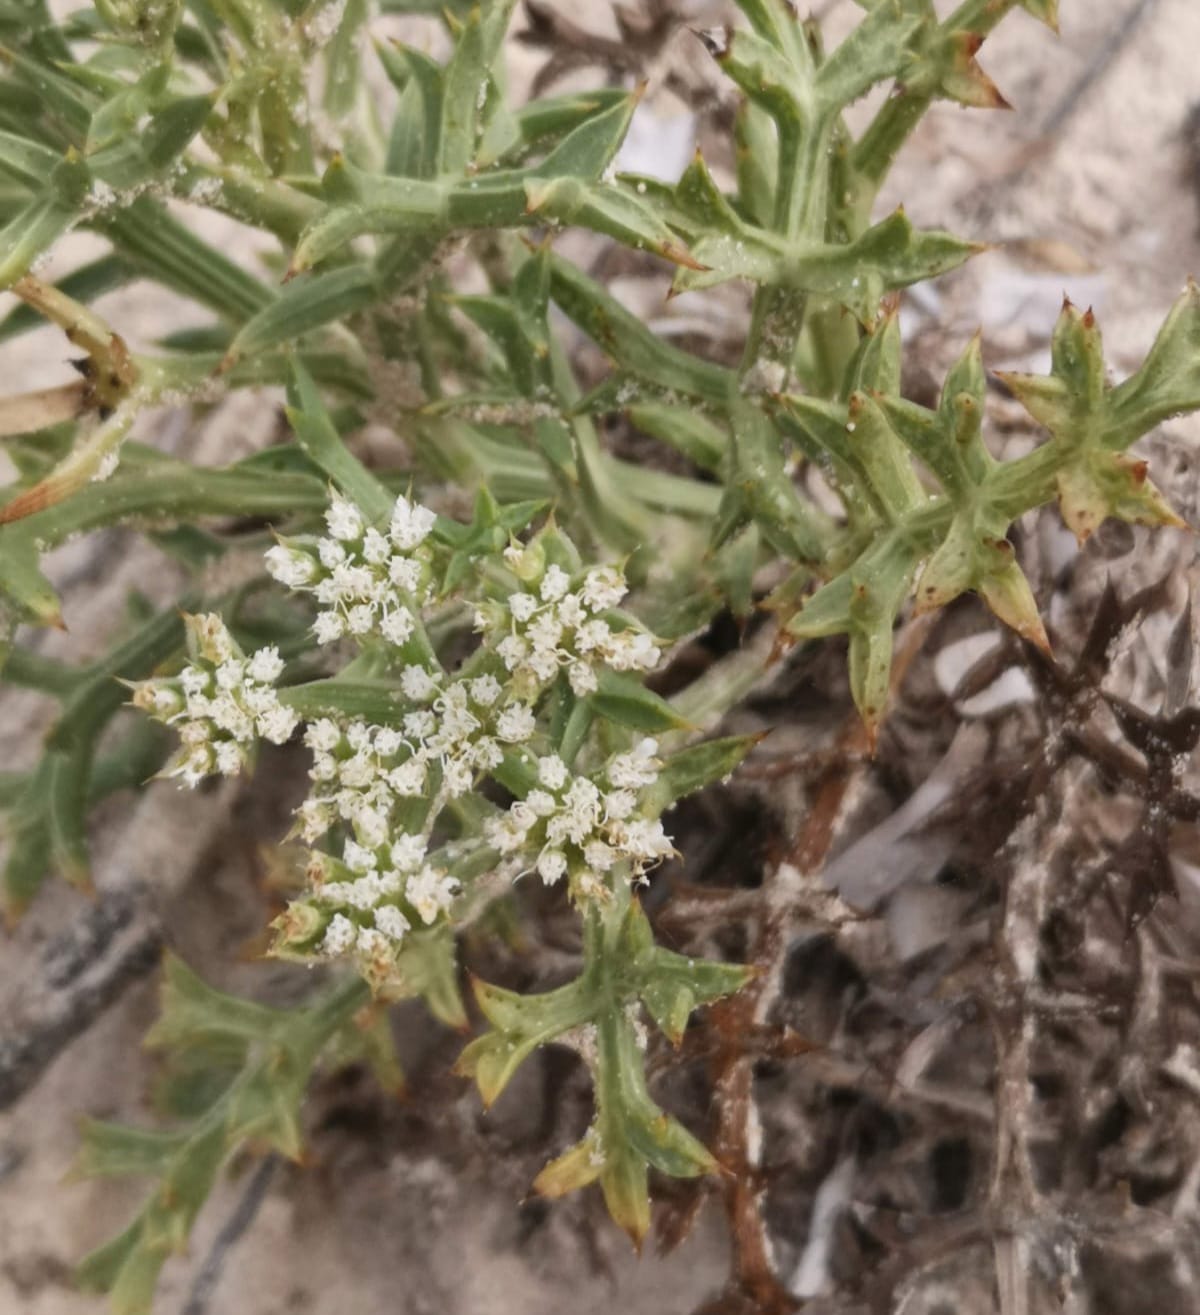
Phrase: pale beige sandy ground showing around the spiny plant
[394,1222]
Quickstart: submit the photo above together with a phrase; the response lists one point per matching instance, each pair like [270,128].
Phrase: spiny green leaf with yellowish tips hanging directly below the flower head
[599,1015]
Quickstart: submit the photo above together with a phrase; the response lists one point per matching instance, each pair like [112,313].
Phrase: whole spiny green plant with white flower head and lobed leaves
[474,684]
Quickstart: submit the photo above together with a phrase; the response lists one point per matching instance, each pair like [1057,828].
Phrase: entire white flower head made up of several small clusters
[379,788]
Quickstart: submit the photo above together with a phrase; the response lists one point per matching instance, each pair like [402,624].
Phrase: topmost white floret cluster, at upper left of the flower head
[366,582]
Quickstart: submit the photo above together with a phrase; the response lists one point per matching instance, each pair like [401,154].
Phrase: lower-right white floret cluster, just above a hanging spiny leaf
[587,828]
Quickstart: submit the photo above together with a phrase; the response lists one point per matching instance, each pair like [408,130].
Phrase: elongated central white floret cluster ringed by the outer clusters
[361,774]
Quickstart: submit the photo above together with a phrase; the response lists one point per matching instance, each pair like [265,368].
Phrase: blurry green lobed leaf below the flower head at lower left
[237,1078]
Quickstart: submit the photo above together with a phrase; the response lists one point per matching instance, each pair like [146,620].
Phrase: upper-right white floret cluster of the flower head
[549,625]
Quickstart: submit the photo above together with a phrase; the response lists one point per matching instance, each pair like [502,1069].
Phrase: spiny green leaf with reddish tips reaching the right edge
[956,540]
